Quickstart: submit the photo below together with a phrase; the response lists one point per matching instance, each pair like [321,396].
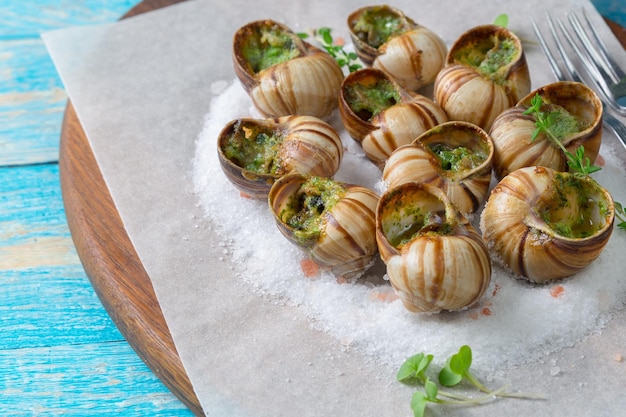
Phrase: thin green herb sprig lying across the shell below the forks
[579,164]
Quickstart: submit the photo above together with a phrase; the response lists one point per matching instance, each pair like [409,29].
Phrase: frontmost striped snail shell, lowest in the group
[436,260]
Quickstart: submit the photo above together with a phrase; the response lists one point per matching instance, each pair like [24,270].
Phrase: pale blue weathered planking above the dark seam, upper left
[32,99]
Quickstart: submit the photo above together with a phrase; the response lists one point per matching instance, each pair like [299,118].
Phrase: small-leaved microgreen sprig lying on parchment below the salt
[413,372]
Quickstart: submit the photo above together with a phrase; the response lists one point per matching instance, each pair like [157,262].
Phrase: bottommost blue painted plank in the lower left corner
[103,379]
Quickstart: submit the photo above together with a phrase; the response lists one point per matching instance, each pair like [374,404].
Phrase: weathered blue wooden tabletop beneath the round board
[59,351]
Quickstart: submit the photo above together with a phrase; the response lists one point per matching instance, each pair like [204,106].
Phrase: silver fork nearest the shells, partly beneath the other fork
[570,73]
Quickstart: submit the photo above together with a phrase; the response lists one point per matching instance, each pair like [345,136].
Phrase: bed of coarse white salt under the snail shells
[515,323]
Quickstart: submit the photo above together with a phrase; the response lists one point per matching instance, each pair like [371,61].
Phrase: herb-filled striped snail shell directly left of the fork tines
[486,72]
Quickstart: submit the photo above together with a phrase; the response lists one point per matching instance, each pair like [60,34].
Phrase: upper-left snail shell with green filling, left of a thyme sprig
[305,84]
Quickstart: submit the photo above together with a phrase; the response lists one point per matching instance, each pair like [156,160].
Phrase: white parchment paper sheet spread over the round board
[141,88]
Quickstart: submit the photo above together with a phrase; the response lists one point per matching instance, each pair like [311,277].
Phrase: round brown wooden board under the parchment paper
[109,258]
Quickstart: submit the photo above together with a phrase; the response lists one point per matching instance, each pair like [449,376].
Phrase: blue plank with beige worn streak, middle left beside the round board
[45,297]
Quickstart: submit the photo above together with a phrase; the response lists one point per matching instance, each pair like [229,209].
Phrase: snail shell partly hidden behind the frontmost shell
[463,171]
